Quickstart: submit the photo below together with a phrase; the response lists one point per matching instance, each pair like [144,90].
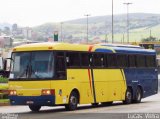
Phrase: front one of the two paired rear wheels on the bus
[128,96]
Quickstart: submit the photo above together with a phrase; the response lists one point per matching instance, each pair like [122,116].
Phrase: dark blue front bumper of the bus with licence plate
[44,100]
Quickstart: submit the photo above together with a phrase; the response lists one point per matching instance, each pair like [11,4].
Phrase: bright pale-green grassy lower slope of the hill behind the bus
[135,35]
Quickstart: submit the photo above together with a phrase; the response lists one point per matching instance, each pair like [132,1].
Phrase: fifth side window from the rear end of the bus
[111,60]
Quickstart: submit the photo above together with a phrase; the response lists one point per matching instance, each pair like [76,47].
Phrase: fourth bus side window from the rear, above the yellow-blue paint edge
[122,61]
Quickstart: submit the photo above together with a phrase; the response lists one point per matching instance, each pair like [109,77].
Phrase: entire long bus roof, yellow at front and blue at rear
[80,47]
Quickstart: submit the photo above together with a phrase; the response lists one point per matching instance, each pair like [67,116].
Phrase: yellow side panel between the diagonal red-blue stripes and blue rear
[109,85]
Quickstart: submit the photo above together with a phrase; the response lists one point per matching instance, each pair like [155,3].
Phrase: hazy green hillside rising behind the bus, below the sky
[100,27]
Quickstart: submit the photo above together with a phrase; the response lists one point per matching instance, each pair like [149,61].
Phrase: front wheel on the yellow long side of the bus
[73,102]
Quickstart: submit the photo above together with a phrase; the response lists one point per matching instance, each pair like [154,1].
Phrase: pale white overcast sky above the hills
[36,12]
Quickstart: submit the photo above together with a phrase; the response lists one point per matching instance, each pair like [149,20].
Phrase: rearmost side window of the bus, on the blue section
[150,61]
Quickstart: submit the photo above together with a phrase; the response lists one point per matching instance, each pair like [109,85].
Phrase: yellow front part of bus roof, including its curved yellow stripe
[57,46]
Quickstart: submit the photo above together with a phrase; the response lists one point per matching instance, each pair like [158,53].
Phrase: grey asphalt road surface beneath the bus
[116,111]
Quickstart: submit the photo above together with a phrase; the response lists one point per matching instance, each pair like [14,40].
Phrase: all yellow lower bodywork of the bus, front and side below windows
[109,86]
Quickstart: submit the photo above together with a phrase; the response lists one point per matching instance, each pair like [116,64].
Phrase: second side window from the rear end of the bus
[140,61]
